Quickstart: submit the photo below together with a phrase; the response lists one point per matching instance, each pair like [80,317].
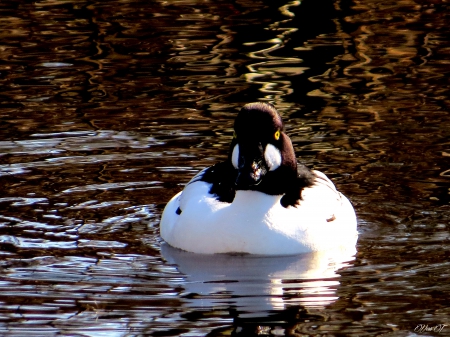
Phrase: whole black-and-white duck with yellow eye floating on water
[260,200]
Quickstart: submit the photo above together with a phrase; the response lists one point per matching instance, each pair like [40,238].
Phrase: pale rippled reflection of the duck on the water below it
[258,286]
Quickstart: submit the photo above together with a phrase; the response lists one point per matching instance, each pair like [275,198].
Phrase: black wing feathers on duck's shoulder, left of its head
[222,177]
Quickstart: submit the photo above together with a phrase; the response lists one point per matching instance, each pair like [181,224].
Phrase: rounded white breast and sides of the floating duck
[257,223]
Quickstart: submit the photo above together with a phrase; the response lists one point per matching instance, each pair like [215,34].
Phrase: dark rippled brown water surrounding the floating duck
[107,108]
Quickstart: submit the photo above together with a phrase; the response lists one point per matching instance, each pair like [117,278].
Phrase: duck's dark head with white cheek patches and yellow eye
[261,152]
